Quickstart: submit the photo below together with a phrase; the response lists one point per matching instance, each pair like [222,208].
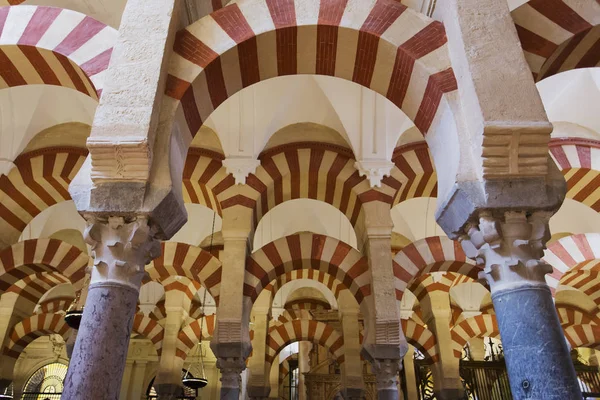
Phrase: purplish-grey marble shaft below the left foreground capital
[96,369]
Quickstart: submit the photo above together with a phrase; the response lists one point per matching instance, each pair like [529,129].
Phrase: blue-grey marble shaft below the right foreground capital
[536,353]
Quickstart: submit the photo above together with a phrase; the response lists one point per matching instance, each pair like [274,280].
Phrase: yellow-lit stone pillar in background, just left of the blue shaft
[437,314]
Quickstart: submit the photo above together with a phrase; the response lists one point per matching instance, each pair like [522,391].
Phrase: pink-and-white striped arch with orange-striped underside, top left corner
[54,46]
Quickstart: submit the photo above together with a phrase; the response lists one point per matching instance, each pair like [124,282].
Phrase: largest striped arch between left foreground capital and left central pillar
[182,259]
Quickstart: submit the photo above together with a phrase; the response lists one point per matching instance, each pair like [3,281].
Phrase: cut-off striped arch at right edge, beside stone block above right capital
[579,161]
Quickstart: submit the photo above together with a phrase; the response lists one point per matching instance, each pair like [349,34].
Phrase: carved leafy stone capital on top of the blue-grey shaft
[511,246]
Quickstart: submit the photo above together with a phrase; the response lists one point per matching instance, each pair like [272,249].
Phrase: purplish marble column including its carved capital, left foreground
[120,248]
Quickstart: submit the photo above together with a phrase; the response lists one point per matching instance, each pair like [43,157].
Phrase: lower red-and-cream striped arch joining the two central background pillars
[307,251]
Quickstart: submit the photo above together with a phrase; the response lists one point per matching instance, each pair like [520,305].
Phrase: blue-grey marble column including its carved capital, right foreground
[511,244]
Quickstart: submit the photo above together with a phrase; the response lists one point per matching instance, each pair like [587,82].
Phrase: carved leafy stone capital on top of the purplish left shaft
[121,248]
